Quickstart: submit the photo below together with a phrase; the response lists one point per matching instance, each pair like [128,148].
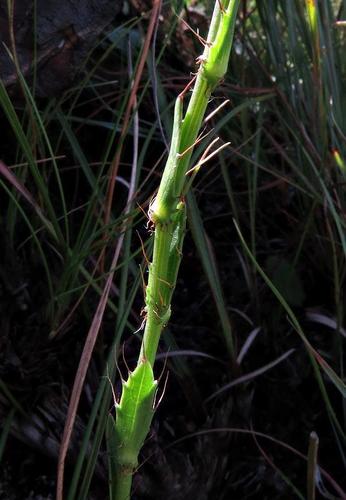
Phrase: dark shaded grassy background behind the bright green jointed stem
[231,424]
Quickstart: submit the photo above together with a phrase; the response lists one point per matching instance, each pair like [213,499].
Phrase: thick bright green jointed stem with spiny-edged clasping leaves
[167,216]
